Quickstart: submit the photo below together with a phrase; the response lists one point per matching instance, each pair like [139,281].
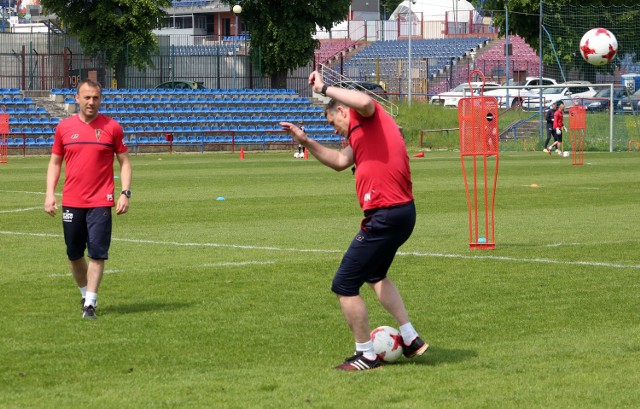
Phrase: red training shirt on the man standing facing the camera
[88,150]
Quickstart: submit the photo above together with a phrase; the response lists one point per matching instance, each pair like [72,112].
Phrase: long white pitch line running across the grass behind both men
[400,253]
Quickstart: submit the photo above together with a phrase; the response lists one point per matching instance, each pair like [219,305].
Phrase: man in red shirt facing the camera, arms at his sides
[87,143]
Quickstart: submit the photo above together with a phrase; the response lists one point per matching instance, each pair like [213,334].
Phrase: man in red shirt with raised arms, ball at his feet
[383,184]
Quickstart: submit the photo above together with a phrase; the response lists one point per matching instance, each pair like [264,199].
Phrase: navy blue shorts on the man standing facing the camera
[87,228]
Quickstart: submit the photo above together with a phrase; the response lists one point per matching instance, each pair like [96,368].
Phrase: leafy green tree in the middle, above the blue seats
[282,32]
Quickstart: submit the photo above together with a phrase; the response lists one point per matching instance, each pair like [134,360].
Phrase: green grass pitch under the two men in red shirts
[226,303]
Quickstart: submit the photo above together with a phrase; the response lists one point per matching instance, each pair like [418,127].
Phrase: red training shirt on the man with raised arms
[383,176]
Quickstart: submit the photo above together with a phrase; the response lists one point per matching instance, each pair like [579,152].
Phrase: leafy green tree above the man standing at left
[117,31]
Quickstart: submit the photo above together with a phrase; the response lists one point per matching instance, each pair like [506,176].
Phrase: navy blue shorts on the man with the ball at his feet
[372,250]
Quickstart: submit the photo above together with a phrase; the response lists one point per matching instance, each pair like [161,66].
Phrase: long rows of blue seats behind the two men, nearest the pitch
[201,117]
